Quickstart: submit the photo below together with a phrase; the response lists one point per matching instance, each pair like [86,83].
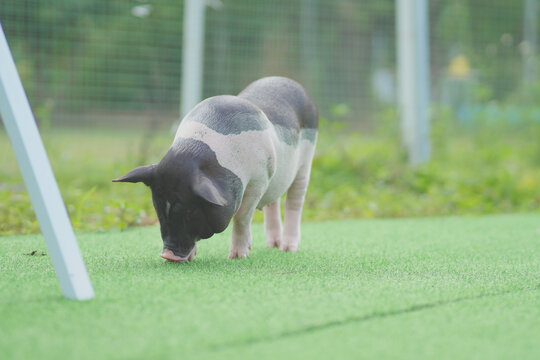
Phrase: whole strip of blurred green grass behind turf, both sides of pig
[492,165]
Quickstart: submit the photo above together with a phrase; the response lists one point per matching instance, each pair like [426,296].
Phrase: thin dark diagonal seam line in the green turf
[359,319]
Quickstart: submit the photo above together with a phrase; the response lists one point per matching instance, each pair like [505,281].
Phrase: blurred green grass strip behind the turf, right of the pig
[488,167]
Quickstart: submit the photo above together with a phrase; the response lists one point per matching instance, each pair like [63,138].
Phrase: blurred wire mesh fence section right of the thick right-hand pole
[478,54]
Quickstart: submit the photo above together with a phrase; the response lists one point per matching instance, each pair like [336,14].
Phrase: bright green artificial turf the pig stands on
[431,288]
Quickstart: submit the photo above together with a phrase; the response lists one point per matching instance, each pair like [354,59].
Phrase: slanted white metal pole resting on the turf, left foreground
[40,182]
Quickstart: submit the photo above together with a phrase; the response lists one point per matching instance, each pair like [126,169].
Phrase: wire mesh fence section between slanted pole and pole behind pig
[97,62]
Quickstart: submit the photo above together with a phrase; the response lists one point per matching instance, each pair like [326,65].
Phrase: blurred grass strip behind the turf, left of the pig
[84,163]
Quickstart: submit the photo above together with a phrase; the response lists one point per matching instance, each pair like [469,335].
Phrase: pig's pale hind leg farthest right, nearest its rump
[293,210]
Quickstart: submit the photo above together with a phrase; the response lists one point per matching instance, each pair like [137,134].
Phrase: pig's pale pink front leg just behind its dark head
[241,232]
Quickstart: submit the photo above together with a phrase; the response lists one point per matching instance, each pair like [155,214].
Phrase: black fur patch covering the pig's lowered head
[185,217]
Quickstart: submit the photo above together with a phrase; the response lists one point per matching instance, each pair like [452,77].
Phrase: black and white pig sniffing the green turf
[230,156]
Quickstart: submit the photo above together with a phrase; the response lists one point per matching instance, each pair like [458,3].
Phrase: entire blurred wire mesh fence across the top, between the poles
[102,62]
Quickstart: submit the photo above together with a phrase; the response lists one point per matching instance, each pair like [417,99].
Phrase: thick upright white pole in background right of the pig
[413,76]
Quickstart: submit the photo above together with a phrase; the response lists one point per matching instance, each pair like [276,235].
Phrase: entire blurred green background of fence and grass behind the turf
[104,79]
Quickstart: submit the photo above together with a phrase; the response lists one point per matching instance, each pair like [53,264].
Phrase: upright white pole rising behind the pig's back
[192,55]
